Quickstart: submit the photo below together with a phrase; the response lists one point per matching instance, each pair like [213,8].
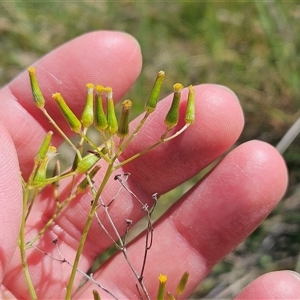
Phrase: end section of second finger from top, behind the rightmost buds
[219,122]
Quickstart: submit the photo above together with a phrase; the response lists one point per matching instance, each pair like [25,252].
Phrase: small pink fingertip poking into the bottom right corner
[275,285]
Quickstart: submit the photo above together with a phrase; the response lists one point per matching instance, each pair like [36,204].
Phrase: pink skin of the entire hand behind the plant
[204,226]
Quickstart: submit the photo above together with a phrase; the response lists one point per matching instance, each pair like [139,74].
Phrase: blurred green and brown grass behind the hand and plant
[250,46]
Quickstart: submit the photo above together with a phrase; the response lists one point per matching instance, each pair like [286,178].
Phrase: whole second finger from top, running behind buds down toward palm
[219,123]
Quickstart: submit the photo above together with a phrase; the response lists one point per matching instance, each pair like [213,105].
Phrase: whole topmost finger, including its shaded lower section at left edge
[105,57]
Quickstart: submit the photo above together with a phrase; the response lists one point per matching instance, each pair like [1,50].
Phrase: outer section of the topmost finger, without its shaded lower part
[101,57]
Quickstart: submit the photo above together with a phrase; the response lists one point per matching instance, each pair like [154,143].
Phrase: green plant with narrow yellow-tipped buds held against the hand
[99,112]
